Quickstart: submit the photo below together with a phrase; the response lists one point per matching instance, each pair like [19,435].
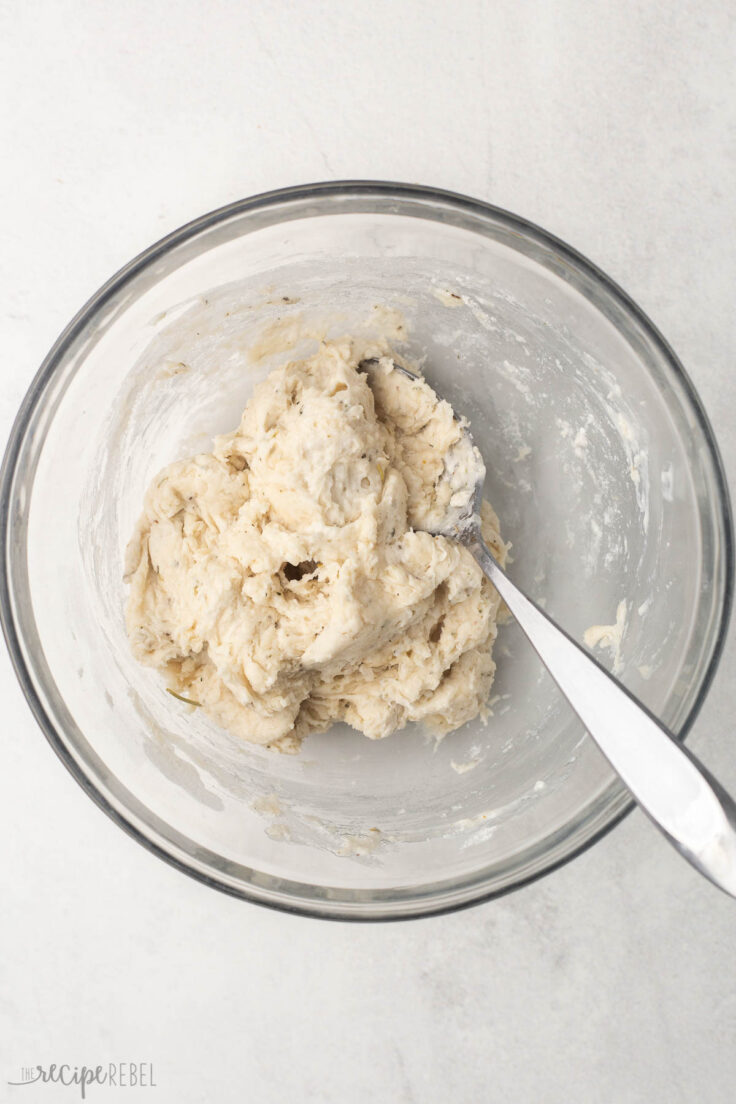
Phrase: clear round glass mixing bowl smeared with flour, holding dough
[601,464]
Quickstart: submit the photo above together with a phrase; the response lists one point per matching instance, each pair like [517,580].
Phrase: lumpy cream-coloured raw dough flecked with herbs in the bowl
[280,582]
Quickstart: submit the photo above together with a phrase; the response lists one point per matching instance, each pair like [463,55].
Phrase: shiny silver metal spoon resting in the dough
[674,789]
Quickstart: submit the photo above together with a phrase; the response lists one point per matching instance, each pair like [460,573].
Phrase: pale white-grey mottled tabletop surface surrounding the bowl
[612,125]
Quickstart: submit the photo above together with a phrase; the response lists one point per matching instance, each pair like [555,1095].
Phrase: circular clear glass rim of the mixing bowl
[422,904]
